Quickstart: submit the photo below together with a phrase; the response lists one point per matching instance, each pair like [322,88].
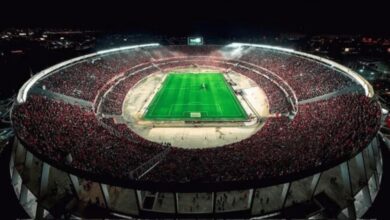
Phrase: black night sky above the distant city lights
[191,16]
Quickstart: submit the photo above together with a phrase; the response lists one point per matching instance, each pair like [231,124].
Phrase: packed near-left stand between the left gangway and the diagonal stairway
[55,129]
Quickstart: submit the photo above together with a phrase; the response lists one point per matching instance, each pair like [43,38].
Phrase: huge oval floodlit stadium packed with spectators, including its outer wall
[237,130]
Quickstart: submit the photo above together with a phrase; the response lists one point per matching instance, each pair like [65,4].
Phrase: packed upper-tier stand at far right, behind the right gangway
[307,78]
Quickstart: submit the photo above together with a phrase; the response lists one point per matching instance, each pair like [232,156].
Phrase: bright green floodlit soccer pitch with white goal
[195,97]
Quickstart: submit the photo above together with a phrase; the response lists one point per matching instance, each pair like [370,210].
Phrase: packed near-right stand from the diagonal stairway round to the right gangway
[322,132]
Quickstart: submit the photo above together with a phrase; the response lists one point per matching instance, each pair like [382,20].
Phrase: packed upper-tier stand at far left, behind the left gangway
[84,79]
